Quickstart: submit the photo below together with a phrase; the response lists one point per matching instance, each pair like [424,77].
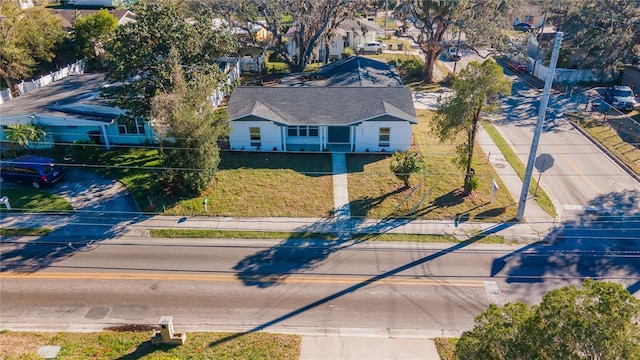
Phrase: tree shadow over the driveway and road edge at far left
[95,219]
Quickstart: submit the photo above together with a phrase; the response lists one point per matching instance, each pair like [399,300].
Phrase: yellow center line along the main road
[247,278]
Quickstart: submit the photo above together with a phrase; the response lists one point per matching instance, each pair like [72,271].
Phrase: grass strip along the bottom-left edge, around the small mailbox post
[136,345]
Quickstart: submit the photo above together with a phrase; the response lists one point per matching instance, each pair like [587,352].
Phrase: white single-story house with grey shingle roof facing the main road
[357,119]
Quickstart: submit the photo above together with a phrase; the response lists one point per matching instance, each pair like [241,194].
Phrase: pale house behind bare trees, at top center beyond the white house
[350,33]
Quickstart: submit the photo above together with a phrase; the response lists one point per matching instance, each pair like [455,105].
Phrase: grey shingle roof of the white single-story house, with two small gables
[321,105]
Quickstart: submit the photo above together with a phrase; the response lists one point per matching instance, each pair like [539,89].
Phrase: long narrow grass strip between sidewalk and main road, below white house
[243,234]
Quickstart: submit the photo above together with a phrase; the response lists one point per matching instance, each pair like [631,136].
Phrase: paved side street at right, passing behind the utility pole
[582,176]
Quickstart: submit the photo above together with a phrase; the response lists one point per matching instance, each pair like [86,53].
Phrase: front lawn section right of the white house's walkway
[375,192]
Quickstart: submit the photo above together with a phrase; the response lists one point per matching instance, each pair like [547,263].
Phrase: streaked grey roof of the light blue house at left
[74,97]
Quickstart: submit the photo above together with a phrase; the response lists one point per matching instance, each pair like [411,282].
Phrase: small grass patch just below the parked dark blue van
[26,199]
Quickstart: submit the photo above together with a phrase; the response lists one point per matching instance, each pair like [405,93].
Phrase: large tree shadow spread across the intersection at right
[601,243]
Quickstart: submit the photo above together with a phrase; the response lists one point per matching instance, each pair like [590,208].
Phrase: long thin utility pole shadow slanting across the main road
[370,281]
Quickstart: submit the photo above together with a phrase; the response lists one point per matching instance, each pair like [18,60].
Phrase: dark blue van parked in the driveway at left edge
[35,170]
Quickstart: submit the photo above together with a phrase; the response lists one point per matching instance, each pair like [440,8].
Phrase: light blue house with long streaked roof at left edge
[72,110]
